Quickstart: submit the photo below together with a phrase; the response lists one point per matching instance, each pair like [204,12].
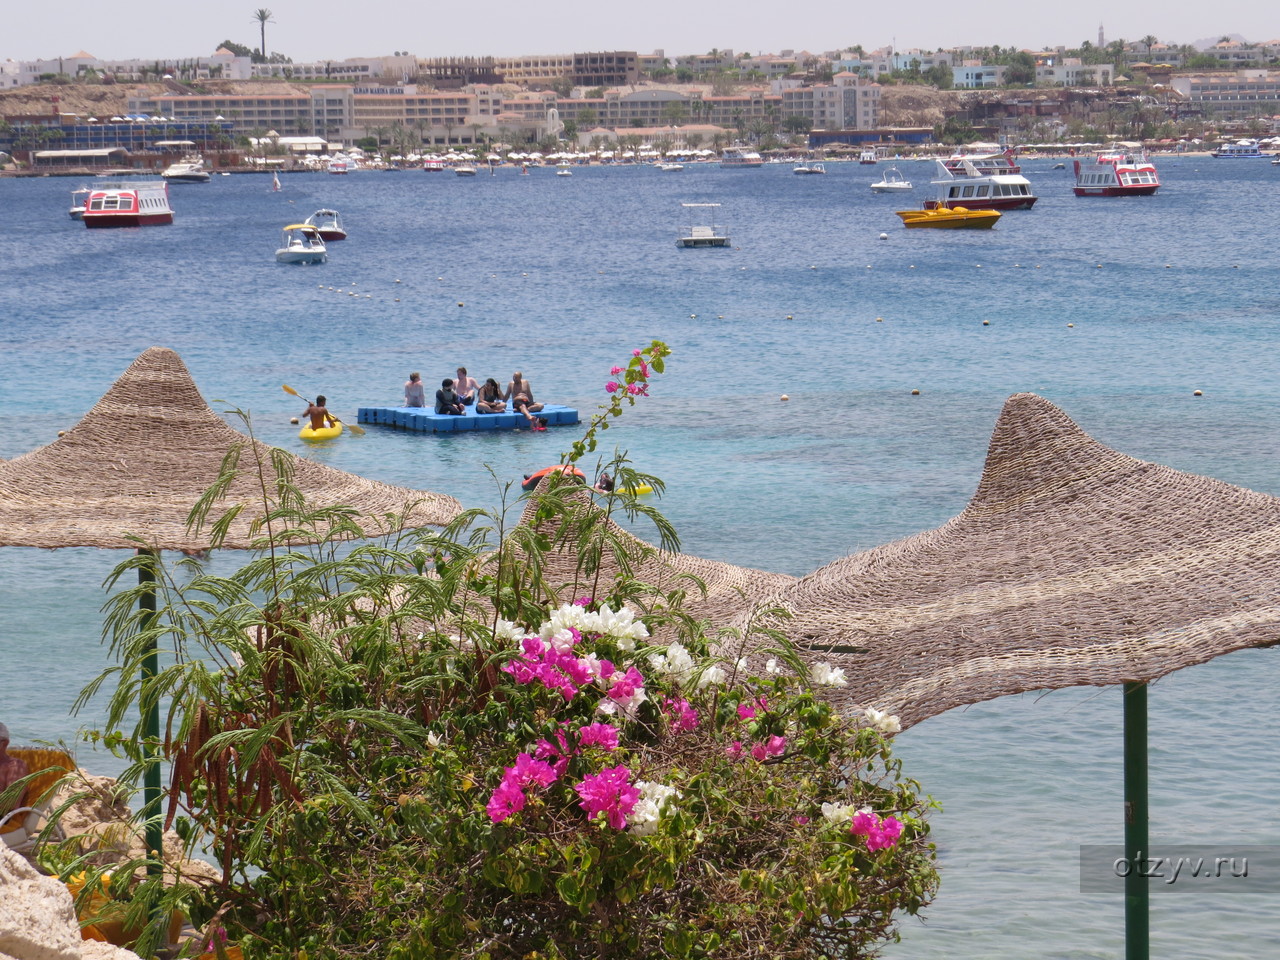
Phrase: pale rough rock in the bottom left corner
[39,920]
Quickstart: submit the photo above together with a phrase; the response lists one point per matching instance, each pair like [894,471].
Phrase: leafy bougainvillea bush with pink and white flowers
[414,749]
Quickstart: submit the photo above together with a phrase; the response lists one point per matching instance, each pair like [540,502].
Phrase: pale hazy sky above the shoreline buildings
[319,30]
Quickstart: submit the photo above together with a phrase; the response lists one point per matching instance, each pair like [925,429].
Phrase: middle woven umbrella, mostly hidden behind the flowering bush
[730,591]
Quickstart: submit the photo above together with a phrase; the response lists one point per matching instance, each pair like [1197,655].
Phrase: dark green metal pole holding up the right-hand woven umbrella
[1137,893]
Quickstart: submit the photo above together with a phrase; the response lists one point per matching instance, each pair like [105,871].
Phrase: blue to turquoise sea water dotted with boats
[563,277]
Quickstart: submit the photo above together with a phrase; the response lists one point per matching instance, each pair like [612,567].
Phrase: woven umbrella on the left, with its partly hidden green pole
[139,463]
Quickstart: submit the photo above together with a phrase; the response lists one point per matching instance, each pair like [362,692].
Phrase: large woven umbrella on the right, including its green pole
[1072,565]
